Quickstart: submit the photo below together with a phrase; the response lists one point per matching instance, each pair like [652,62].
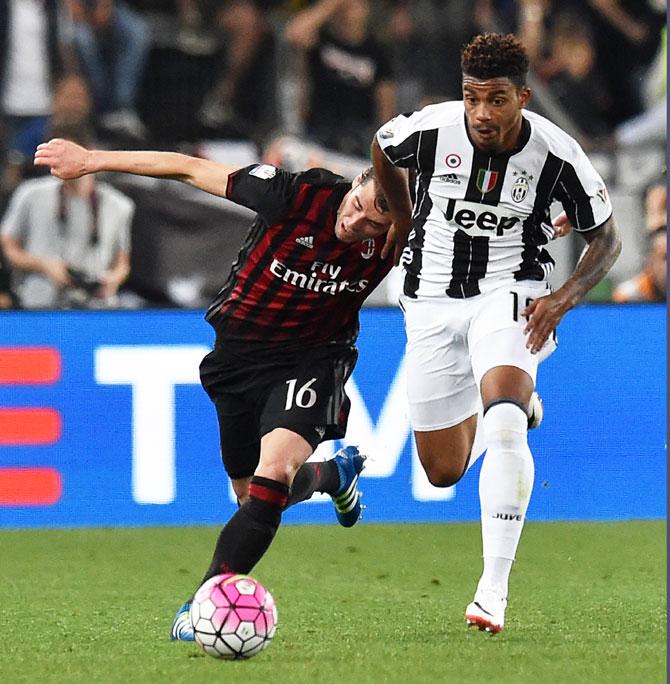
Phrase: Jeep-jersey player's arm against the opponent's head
[394,184]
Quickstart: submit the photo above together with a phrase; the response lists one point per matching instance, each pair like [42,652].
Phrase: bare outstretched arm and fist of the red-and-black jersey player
[68,160]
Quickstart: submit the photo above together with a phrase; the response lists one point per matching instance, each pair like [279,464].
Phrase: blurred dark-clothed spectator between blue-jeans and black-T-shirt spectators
[241,102]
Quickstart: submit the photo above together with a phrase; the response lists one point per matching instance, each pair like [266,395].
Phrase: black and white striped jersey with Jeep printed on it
[481,220]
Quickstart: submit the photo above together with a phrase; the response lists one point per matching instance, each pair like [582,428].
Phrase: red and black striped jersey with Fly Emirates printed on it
[294,284]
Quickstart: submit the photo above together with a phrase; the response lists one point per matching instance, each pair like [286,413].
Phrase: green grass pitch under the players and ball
[377,603]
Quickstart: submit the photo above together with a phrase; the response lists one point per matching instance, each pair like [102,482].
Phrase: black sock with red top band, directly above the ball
[249,533]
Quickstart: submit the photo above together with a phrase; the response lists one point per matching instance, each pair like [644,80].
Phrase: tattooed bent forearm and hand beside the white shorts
[545,313]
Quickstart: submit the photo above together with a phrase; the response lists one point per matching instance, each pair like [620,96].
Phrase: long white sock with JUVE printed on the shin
[505,486]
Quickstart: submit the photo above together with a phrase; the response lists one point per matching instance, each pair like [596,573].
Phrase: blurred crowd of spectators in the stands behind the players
[297,84]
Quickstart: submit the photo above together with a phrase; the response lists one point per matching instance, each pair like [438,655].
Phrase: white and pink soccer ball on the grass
[233,616]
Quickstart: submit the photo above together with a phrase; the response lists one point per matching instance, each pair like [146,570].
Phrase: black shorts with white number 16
[255,392]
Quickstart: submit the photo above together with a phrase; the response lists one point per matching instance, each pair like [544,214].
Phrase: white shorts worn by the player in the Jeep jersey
[452,343]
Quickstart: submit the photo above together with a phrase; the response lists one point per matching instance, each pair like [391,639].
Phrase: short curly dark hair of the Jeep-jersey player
[493,55]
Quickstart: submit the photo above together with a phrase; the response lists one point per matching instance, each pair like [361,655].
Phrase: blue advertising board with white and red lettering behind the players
[103,423]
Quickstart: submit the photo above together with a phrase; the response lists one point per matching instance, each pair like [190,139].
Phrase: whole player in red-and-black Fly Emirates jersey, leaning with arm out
[286,323]
